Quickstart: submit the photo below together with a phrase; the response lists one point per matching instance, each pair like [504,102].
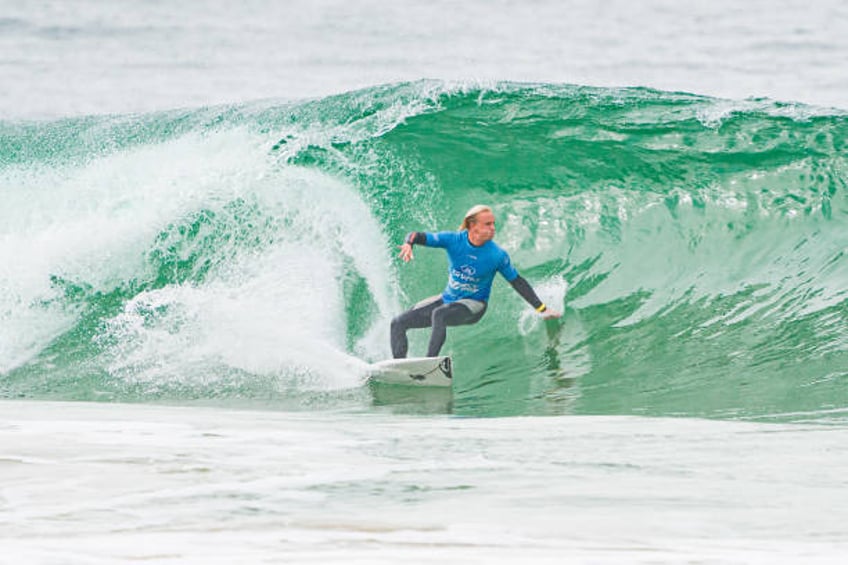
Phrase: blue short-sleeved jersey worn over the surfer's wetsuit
[471,269]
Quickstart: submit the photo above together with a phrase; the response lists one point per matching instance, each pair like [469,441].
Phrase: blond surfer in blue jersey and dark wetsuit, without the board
[473,261]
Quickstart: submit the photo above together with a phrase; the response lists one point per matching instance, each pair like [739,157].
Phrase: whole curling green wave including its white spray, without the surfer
[695,247]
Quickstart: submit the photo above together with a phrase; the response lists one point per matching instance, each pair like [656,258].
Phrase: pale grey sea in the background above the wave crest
[91,56]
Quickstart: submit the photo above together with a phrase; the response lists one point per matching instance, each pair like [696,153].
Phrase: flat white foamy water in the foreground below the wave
[96,483]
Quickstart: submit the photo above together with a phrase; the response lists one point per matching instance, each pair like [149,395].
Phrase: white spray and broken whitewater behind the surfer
[263,308]
